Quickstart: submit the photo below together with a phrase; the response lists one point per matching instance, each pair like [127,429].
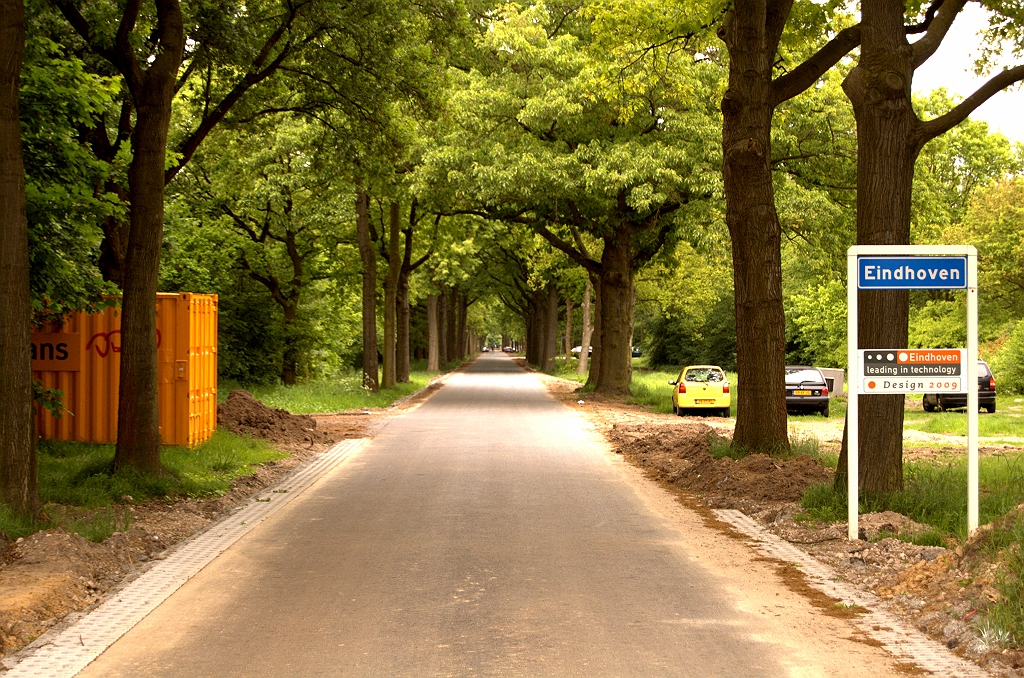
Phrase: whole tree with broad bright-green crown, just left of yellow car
[542,139]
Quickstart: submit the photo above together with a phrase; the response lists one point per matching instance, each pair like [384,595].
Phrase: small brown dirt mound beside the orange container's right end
[244,415]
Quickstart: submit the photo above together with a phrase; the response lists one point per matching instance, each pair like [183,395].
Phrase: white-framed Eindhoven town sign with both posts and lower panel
[912,268]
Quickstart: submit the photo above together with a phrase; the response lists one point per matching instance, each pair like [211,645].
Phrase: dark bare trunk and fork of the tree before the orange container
[151,78]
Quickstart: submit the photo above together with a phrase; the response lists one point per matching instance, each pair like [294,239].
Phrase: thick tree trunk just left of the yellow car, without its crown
[616,315]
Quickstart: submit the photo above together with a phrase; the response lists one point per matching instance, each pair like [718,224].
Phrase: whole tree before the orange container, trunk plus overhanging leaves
[351,61]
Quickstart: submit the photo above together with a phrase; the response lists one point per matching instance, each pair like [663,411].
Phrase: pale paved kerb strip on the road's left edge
[71,651]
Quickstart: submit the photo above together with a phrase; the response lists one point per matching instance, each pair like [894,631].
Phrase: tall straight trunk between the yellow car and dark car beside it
[755,231]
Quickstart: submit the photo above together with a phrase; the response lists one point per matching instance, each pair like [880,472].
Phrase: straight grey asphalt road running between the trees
[489,532]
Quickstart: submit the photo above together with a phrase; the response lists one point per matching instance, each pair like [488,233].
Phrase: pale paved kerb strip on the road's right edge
[903,643]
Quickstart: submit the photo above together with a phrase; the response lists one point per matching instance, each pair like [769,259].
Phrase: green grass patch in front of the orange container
[82,495]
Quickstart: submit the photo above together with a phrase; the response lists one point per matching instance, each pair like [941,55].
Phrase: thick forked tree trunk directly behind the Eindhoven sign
[890,139]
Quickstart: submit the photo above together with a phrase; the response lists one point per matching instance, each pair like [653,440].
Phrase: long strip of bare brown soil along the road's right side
[942,591]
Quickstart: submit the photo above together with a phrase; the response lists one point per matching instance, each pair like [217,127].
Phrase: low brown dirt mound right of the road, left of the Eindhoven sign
[681,454]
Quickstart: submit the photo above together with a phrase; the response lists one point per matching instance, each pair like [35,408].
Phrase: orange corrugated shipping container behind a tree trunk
[82,358]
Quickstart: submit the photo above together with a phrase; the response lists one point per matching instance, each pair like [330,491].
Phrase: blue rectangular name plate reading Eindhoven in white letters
[912,273]
